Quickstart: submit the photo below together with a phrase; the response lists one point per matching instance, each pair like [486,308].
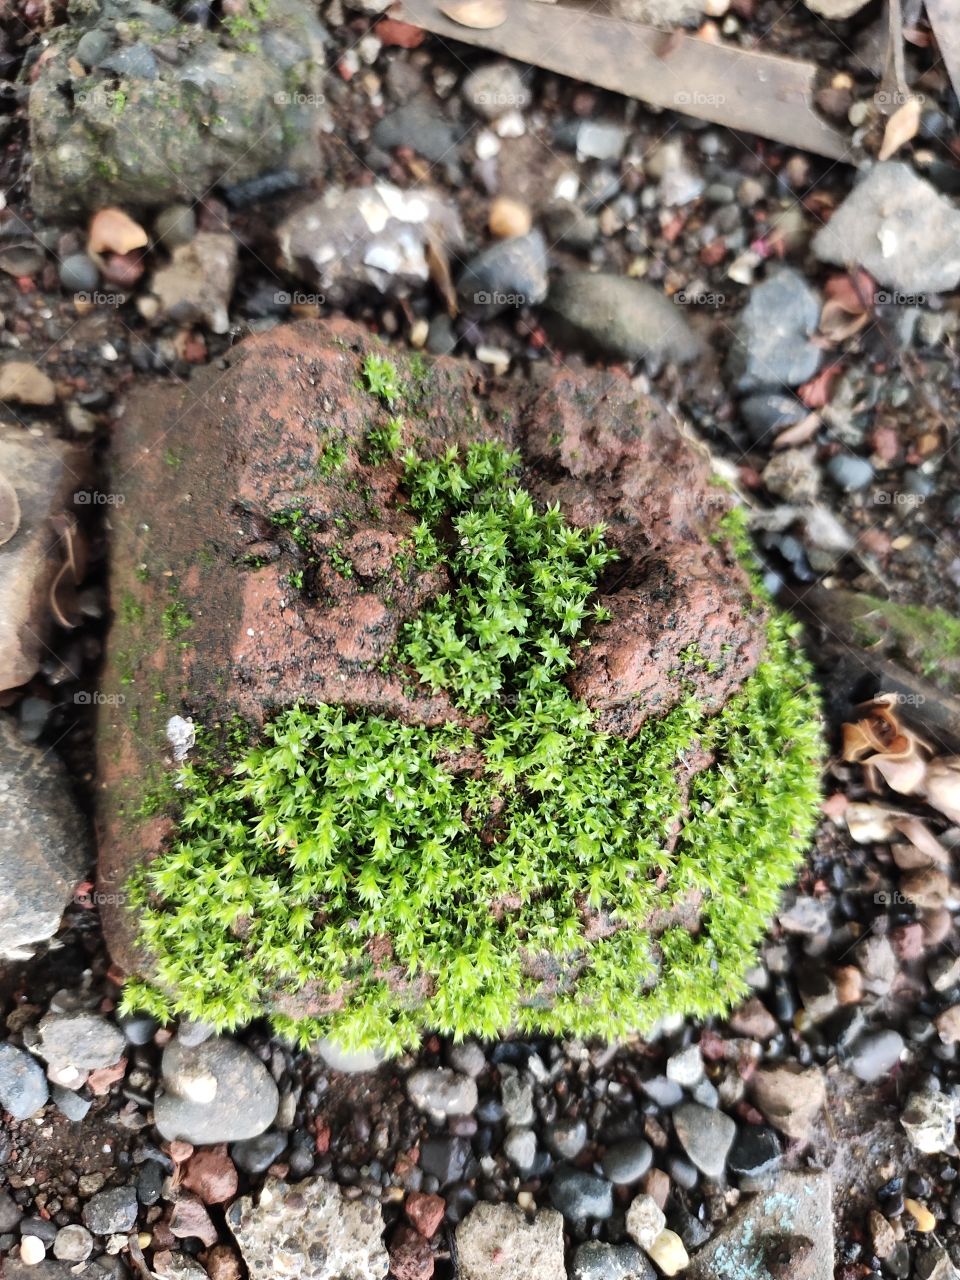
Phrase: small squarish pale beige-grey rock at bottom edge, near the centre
[499,1242]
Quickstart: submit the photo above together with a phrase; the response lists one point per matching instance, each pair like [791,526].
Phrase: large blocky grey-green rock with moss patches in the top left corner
[94,149]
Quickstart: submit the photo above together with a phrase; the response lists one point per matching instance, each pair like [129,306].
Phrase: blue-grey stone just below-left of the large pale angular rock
[772,346]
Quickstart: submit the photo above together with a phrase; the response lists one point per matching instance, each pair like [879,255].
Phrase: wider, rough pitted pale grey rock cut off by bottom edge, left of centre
[309,1232]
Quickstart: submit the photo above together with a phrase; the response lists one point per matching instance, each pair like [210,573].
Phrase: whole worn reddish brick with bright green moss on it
[493,732]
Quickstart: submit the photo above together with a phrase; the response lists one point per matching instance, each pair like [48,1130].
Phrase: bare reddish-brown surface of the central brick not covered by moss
[207,469]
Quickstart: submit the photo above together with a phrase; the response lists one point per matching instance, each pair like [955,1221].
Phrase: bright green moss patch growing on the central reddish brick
[473,860]
